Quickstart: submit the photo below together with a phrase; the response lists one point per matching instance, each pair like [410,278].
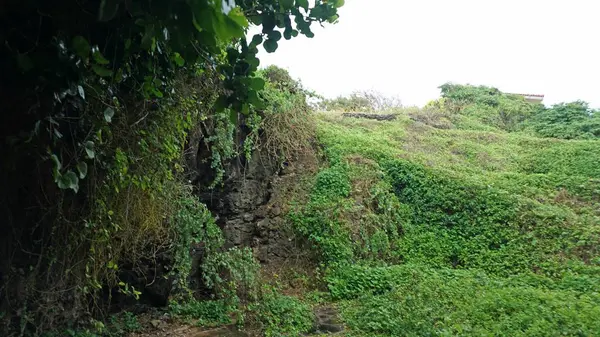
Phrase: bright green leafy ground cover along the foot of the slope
[416,300]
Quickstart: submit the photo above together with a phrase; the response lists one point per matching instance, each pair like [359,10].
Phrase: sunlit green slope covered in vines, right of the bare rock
[457,232]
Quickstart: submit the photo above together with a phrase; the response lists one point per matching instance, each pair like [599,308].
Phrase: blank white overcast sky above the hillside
[409,48]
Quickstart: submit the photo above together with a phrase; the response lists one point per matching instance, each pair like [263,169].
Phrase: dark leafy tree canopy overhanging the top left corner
[139,41]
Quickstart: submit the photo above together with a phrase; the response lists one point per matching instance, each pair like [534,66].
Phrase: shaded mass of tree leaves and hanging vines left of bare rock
[106,101]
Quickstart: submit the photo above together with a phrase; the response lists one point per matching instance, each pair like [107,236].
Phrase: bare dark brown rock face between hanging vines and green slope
[250,207]
